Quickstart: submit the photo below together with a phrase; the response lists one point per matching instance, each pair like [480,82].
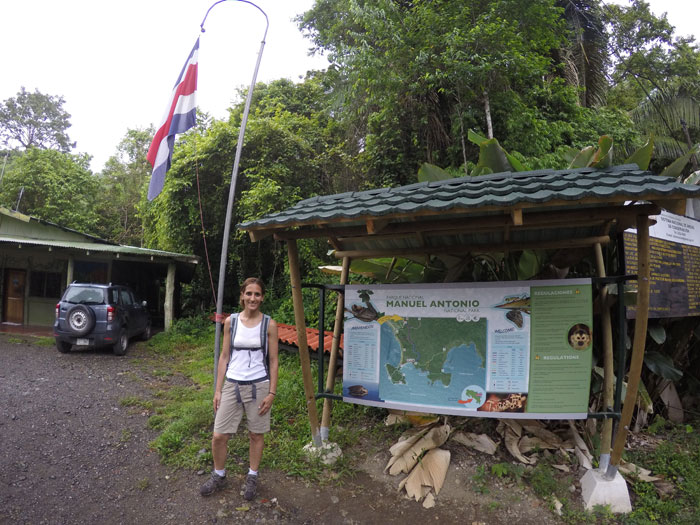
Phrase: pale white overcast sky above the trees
[115,62]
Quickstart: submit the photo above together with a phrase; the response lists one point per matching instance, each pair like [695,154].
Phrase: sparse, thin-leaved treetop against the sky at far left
[35,120]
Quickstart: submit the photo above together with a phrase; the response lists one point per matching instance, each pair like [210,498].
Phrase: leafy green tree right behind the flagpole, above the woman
[290,152]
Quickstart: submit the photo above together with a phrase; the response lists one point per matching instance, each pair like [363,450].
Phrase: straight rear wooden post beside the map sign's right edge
[608,360]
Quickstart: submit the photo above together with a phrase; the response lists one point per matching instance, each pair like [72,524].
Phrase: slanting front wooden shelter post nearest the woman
[300,322]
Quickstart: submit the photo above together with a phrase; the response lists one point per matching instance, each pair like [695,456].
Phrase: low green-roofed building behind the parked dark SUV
[38,259]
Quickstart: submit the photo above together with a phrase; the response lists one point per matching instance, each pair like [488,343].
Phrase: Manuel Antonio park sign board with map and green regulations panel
[506,349]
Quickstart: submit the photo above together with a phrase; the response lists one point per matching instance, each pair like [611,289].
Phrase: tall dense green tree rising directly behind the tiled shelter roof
[412,77]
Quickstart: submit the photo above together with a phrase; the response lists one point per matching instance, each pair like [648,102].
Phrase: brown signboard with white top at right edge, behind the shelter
[674,247]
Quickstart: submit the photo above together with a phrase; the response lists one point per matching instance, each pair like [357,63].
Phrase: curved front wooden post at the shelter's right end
[640,334]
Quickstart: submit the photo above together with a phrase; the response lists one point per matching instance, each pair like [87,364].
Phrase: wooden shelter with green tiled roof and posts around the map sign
[564,209]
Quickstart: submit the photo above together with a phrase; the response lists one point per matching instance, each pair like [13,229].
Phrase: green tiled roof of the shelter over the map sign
[500,190]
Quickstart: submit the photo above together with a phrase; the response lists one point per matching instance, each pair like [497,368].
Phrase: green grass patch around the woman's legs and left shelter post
[185,417]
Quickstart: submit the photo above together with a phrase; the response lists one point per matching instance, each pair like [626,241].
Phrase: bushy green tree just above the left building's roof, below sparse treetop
[55,186]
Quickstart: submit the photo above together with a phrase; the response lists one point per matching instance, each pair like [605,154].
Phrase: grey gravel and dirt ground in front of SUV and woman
[70,454]
